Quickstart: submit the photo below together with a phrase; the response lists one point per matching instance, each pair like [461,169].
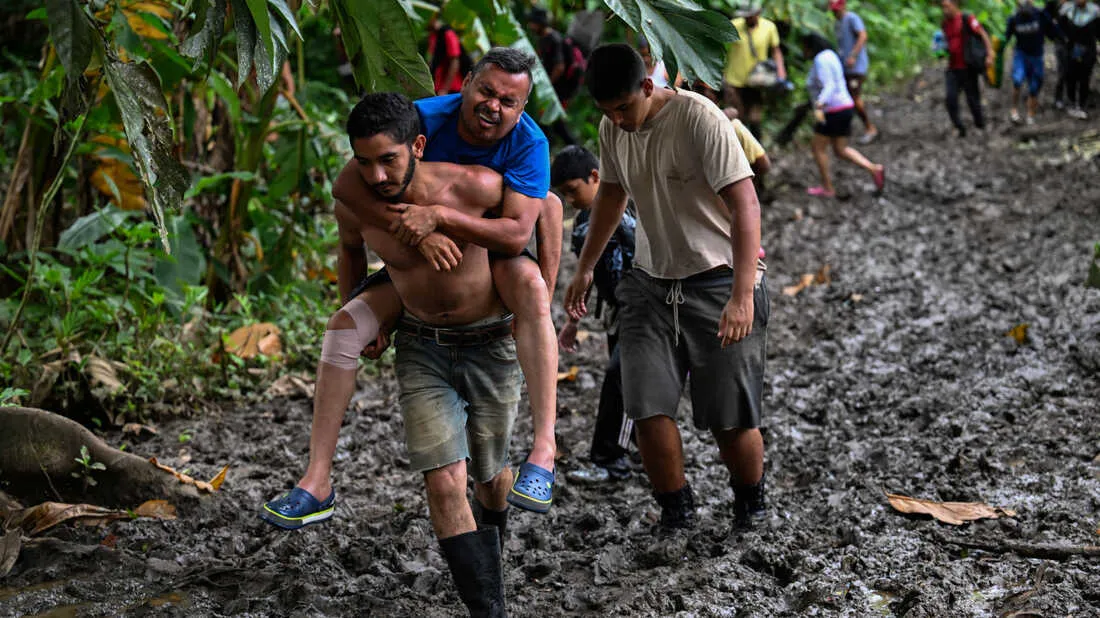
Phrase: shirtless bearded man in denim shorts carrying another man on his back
[456,358]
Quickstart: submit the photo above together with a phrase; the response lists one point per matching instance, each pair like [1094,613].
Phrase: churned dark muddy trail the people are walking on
[897,376]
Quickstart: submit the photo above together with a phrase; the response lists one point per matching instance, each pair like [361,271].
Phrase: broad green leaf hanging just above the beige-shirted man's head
[689,41]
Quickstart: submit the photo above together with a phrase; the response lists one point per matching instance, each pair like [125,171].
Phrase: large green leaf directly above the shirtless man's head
[382,47]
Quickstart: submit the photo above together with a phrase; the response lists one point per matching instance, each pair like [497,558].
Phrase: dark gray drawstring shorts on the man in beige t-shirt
[727,384]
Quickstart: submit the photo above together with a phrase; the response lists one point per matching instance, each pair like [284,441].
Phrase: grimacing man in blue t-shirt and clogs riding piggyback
[485,125]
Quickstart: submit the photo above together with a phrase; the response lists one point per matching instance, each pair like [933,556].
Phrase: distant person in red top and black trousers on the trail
[971,53]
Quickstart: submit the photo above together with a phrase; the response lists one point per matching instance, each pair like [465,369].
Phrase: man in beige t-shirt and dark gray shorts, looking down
[696,301]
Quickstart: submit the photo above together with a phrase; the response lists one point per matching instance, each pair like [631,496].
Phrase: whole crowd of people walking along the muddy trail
[667,230]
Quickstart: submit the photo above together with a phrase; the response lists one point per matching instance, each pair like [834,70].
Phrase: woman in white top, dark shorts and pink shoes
[833,112]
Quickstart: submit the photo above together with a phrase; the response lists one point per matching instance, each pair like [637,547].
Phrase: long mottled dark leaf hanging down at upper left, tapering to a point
[146,118]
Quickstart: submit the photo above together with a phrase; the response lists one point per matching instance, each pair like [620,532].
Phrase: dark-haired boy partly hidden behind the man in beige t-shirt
[576,175]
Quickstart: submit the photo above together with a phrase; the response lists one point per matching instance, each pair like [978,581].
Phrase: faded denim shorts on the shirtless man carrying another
[458,403]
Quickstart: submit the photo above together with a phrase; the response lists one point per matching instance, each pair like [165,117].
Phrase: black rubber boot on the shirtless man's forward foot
[475,560]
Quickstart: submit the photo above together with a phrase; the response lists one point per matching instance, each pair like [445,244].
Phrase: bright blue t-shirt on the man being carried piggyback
[523,158]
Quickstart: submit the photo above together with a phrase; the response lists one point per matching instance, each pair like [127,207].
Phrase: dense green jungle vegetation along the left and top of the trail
[168,174]
